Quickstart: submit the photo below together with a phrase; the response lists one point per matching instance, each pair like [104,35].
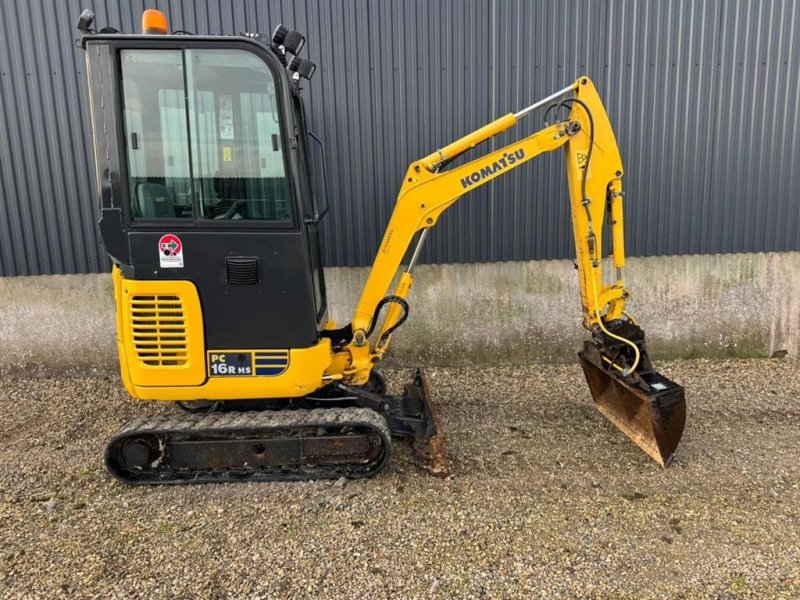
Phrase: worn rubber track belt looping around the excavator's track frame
[175,424]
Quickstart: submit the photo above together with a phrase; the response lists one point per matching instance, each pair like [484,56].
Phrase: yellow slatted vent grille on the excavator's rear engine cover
[159,330]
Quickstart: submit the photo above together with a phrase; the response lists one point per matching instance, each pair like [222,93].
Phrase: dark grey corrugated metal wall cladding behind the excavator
[704,97]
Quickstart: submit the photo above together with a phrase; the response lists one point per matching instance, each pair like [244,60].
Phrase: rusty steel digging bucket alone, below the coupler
[647,407]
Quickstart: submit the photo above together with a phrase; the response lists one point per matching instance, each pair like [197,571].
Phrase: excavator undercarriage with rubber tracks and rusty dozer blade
[338,432]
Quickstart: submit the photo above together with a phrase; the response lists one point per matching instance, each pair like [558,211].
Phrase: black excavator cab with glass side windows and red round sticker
[207,179]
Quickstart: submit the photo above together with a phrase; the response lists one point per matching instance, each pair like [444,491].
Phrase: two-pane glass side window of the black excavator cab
[202,135]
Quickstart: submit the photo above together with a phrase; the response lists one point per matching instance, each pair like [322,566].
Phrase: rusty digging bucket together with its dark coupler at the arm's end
[646,406]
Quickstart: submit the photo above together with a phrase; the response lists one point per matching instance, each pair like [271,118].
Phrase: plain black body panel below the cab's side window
[277,312]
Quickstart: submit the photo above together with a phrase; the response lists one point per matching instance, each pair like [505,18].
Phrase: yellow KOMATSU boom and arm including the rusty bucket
[648,407]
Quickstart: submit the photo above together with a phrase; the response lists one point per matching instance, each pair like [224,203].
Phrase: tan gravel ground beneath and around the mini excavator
[546,500]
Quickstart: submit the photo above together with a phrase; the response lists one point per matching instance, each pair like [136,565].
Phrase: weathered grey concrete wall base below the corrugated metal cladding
[734,305]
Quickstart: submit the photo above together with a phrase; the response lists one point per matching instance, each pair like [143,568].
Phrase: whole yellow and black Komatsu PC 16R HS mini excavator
[210,215]
